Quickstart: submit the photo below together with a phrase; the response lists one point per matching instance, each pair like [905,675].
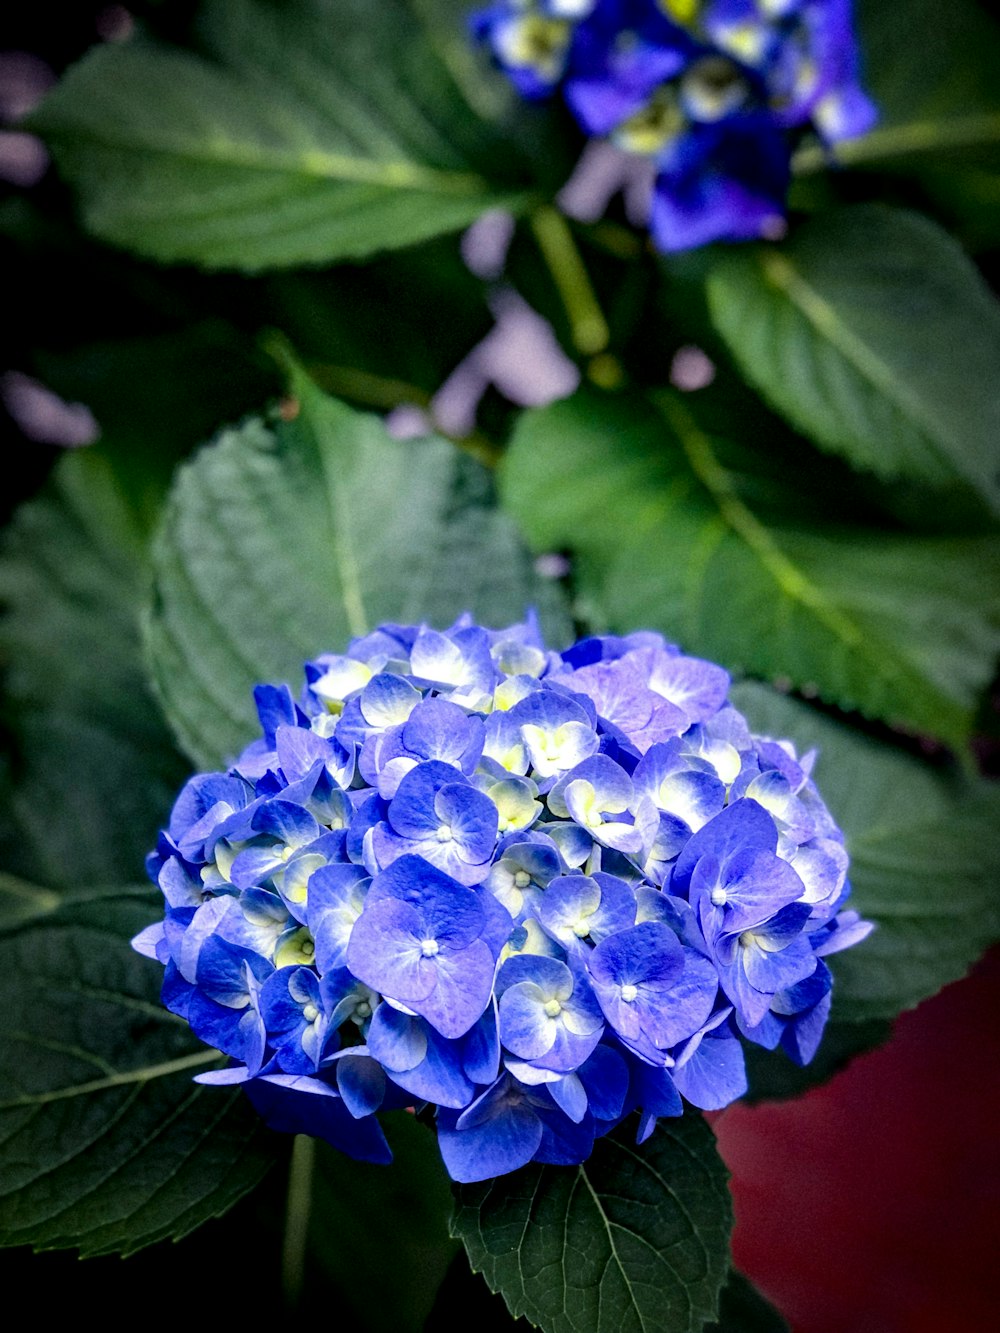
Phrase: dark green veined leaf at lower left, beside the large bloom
[106,1144]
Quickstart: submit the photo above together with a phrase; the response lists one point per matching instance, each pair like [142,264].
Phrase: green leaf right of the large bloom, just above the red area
[925,858]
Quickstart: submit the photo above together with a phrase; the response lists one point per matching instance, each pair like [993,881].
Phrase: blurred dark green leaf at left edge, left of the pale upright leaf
[93,770]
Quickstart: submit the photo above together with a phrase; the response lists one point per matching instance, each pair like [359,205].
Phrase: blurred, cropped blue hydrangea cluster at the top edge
[715,91]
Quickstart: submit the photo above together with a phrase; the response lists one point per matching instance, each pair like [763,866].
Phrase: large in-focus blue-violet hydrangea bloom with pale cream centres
[535,891]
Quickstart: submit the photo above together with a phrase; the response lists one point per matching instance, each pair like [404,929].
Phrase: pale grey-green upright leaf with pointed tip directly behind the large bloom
[279,545]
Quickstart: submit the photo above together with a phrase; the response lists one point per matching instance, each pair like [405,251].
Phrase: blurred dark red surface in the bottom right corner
[871,1204]
